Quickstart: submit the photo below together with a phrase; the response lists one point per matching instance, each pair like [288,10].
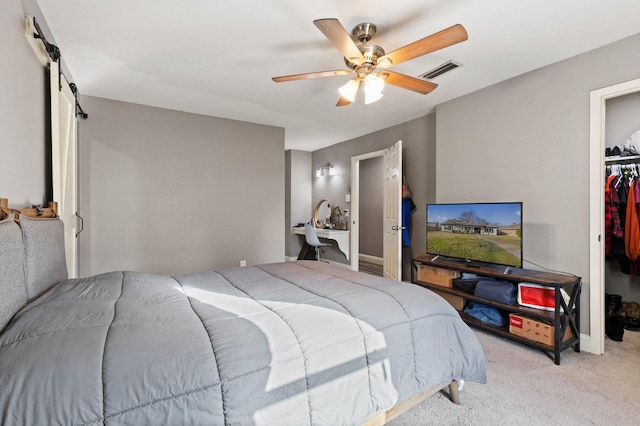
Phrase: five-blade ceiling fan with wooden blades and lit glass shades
[364,59]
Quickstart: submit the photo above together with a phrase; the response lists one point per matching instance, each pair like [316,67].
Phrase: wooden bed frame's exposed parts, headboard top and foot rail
[378,420]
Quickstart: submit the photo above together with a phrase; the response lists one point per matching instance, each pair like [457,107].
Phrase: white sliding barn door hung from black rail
[64,159]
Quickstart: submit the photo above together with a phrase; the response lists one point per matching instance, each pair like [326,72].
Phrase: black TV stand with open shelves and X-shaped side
[562,323]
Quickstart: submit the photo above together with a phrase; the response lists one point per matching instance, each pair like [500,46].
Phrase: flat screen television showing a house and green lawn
[480,232]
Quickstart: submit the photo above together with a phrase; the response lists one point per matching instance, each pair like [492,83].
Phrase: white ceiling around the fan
[217,57]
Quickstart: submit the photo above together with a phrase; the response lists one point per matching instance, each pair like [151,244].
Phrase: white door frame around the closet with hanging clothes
[595,342]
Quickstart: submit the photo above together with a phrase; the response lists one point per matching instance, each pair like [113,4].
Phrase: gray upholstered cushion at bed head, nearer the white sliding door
[44,258]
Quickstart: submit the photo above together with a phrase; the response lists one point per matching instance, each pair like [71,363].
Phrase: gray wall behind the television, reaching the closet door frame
[527,139]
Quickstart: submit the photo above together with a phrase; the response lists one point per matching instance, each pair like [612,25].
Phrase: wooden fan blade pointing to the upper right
[445,38]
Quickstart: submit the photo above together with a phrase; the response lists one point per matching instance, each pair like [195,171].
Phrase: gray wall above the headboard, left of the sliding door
[22,110]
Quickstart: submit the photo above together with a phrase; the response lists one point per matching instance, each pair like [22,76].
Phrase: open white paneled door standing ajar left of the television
[392,210]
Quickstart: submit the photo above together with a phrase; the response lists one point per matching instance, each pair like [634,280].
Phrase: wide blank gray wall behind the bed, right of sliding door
[171,192]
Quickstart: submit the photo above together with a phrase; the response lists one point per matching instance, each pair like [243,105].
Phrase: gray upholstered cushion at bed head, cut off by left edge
[13,292]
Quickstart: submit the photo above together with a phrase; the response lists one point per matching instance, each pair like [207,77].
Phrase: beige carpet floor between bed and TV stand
[525,387]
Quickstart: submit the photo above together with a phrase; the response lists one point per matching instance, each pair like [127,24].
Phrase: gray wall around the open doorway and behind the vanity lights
[418,156]
